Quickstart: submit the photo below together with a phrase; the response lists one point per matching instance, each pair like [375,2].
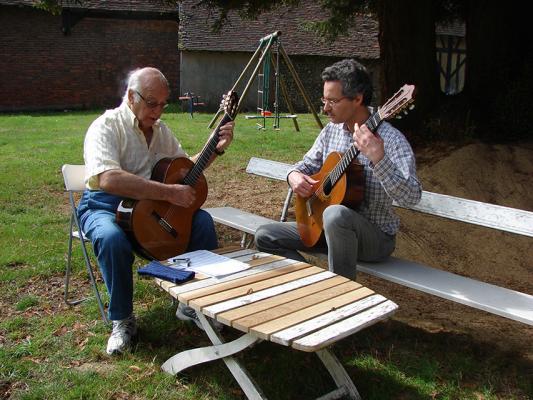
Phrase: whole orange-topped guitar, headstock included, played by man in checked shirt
[341,178]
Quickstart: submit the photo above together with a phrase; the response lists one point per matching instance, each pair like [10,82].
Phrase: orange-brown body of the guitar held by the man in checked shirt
[348,190]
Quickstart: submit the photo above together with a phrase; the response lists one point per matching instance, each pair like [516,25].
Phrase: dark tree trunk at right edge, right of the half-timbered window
[498,78]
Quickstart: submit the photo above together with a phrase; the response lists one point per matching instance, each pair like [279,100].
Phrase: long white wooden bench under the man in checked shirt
[491,298]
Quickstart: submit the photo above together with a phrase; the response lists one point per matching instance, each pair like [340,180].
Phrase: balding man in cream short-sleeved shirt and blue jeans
[120,150]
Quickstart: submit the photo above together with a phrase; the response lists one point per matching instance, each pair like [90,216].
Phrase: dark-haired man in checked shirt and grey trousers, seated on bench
[367,233]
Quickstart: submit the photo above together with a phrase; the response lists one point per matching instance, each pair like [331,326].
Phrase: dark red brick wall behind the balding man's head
[41,69]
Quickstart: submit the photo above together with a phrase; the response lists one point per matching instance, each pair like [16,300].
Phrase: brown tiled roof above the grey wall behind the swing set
[243,35]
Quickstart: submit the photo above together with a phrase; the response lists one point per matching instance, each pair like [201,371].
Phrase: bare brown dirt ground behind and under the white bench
[498,174]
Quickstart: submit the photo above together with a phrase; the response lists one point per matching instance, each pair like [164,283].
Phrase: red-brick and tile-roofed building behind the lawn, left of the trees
[79,58]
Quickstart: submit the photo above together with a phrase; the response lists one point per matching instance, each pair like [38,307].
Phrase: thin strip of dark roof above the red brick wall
[154,6]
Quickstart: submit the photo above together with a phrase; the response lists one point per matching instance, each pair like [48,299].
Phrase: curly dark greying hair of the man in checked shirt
[353,77]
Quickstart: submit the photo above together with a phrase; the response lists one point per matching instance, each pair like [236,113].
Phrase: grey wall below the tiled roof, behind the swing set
[209,74]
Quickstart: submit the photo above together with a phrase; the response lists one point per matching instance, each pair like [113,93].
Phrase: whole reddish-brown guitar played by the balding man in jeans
[158,229]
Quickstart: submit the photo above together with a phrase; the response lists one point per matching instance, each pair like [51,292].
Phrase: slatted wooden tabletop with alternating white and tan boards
[285,301]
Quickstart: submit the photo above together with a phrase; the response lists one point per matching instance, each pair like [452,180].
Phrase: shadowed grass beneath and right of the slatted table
[390,360]
